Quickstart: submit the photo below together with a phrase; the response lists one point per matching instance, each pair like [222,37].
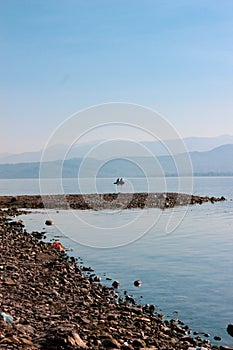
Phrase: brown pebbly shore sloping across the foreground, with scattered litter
[46,302]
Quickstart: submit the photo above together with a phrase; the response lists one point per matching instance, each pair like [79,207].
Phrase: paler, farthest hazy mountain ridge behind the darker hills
[198,144]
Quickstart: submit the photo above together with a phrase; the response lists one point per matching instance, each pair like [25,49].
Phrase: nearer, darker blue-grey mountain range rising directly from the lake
[216,162]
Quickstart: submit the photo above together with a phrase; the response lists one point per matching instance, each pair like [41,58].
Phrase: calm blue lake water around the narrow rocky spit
[186,270]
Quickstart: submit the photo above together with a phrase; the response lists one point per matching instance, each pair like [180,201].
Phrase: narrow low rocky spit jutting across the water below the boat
[105,201]
